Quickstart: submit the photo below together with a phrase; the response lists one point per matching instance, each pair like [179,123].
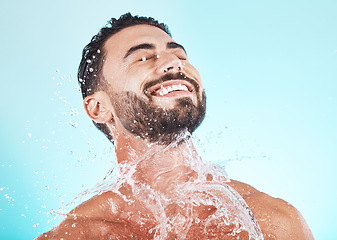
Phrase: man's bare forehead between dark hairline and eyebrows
[122,41]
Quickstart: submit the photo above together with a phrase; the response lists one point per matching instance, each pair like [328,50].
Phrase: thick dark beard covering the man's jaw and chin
[143,118]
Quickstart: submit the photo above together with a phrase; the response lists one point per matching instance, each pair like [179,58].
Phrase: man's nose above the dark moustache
[168,62]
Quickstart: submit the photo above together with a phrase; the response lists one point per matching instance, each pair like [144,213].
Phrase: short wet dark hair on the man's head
[90,70]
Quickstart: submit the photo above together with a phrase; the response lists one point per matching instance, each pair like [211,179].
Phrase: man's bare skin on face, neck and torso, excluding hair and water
[108,215]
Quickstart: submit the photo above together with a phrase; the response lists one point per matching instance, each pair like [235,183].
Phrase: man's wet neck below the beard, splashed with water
[160,166]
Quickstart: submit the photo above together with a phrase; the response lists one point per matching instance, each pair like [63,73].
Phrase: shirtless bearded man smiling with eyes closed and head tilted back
[140,89]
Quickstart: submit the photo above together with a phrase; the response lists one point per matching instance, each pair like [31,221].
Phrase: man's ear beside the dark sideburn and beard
[98,107]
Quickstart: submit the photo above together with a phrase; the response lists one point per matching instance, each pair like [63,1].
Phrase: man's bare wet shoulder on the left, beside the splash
[105,216]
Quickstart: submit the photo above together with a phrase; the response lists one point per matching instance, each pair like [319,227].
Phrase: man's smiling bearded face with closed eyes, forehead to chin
[156,93]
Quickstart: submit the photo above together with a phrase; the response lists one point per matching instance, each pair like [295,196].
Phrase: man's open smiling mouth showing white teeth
[170,88]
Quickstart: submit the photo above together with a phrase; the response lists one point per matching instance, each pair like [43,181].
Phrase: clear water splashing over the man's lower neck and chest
[203,204]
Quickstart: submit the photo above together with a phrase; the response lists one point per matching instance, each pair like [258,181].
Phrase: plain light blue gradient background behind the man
[269,69]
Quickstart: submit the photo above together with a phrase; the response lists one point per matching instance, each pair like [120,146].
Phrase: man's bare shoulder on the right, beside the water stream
[277,218]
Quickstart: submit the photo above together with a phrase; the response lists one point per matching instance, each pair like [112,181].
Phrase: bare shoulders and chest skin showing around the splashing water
[109,216]
